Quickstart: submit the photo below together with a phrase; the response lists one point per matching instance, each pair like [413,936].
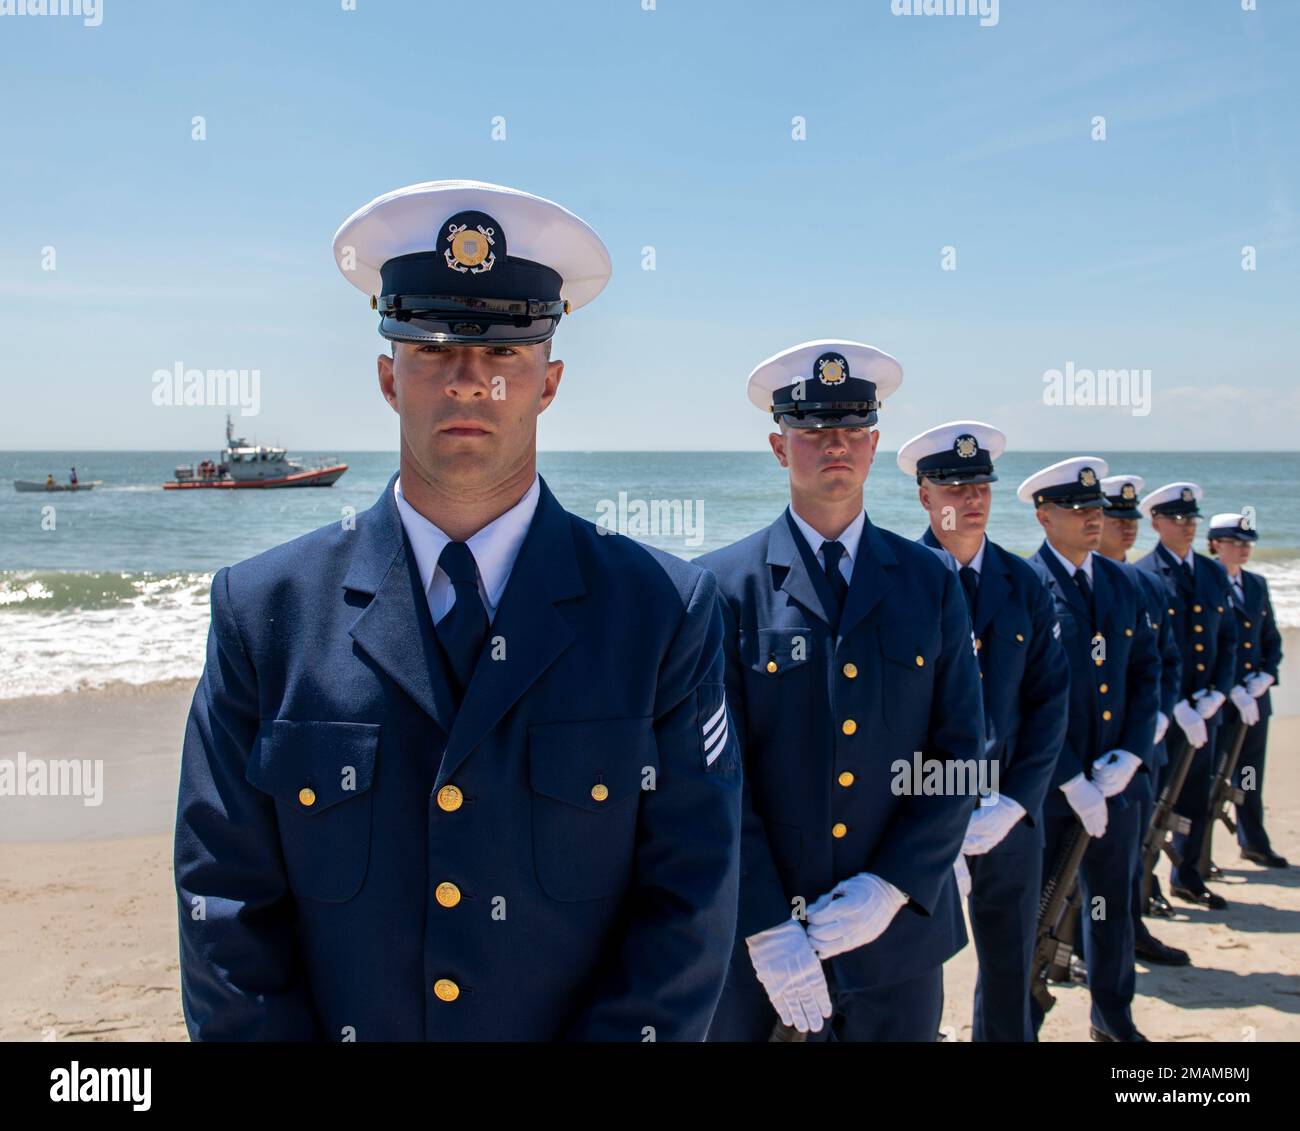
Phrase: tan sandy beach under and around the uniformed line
[89,944]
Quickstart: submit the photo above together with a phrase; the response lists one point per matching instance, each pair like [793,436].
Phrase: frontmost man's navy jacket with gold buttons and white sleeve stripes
[467,850]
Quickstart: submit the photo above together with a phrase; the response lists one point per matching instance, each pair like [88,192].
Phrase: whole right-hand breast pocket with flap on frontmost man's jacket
[587,782]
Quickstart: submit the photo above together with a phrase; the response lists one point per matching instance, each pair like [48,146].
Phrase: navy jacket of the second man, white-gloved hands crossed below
[904,673]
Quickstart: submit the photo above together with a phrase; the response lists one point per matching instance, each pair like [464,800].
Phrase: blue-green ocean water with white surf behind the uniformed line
[112,586]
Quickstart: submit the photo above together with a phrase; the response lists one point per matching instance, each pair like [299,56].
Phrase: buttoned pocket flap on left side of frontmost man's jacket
[314,766]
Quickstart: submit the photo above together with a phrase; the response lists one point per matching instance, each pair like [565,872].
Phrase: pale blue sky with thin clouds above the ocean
[671,129]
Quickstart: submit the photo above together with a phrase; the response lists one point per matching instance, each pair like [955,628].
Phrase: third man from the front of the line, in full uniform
[1026,690]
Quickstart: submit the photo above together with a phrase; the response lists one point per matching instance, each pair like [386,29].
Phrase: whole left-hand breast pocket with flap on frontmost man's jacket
[320,775]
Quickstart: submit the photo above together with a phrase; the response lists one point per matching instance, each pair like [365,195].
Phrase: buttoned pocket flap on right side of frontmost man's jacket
[593,765]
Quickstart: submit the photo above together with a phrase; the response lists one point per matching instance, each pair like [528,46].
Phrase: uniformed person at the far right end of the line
[1259,649]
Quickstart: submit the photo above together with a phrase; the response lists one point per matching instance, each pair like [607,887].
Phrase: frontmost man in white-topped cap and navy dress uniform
[461,769]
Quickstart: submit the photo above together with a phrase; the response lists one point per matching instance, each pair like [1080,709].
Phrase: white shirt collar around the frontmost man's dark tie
[496,548]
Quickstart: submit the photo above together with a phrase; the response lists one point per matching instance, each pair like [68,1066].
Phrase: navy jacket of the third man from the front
[1026,679]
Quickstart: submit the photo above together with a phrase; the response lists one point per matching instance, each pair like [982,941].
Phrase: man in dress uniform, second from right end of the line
[1206,629]
